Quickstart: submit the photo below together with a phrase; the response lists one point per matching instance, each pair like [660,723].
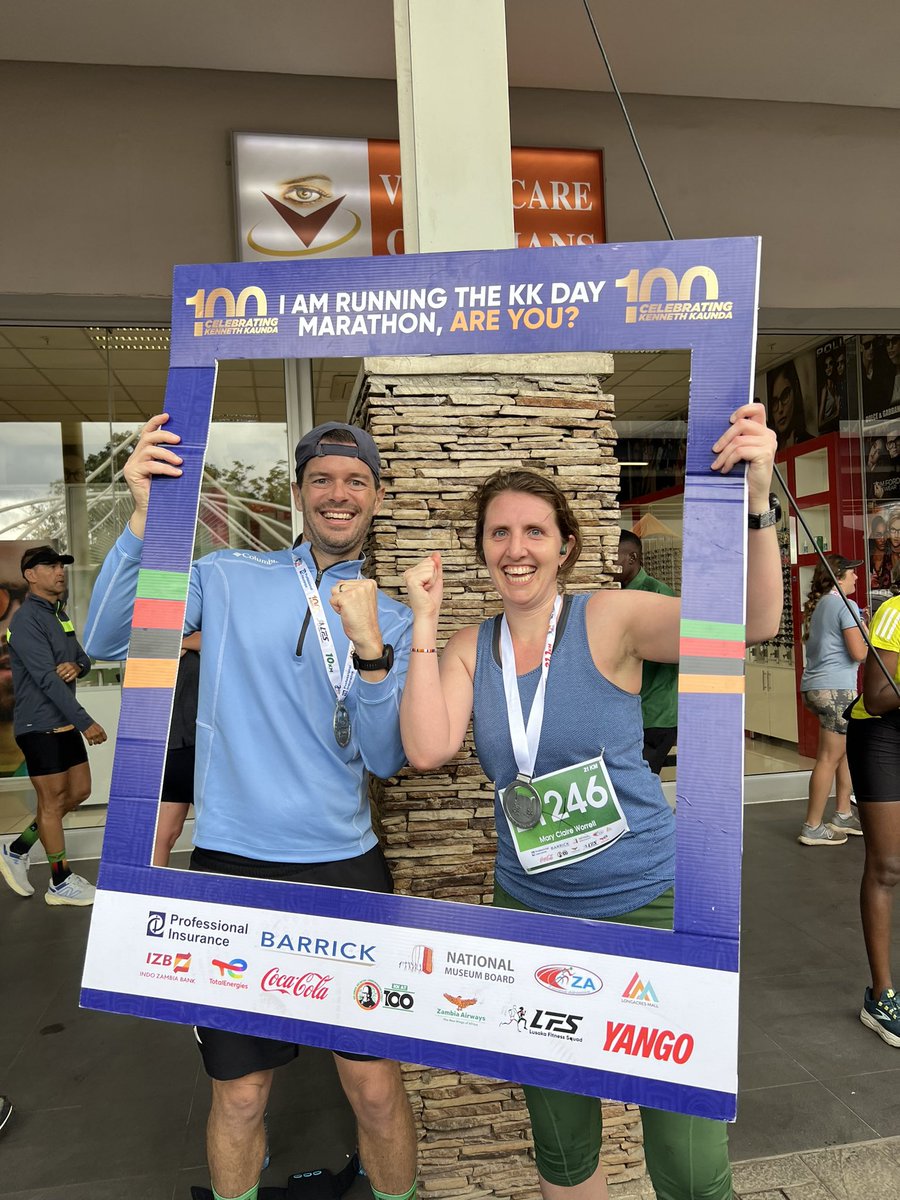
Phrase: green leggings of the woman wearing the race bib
[687,1157]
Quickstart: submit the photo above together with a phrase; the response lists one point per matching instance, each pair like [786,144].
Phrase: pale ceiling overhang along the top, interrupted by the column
[805,51]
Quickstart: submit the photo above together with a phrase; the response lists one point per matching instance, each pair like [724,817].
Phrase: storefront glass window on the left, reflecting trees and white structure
[73,403]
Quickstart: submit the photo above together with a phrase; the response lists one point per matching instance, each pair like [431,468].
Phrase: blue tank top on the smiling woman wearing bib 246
[584,713]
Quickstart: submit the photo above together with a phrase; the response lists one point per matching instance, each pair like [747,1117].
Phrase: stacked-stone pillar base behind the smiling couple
[442,424]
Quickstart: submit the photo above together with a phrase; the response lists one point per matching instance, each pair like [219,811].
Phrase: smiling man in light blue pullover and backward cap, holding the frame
[287,735]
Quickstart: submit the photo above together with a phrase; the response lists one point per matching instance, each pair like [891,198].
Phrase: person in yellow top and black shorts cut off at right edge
[874,759]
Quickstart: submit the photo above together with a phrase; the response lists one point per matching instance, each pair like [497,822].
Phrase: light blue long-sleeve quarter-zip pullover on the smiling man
[271,781]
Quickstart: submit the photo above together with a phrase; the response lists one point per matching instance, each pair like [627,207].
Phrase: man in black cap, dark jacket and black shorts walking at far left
[50,725]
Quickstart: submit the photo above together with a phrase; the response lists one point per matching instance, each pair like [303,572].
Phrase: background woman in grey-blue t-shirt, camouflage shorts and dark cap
[829,686]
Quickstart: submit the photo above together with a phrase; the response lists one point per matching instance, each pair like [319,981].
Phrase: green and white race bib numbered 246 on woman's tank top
[580,817]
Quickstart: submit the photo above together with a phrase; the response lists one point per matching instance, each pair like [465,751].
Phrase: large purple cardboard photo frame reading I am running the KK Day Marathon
[632,1015]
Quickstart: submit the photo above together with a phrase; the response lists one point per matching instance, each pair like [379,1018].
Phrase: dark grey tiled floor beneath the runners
[115,1107]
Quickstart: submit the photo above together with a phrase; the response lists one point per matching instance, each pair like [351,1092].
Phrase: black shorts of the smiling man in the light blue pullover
[229,1055]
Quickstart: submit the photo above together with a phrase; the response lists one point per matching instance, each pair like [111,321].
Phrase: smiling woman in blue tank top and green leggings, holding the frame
[584,691]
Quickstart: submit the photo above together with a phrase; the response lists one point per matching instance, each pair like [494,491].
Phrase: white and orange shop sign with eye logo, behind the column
[343,197]
